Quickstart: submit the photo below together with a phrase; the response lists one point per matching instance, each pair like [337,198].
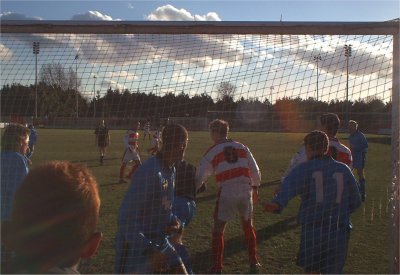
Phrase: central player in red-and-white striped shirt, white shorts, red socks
[238,178]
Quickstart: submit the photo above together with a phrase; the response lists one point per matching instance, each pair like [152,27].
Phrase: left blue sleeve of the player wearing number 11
[292,186]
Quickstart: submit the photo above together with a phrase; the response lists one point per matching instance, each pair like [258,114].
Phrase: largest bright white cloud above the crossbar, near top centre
[170,13]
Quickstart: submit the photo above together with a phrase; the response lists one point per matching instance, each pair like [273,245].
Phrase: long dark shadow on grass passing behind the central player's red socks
[237,244]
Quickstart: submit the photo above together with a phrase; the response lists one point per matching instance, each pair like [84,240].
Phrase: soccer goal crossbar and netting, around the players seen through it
[270,81]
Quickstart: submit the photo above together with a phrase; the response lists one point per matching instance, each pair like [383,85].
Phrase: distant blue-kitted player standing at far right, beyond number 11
[359,148]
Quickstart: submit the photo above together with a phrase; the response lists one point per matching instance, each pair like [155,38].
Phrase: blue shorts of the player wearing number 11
[323,249]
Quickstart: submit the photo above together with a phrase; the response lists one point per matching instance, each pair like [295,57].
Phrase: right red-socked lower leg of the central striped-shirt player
[251,243]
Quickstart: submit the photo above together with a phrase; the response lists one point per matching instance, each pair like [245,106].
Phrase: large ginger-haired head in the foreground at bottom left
[54,217]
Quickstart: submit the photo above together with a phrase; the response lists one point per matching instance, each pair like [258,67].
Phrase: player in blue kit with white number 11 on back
[329,194]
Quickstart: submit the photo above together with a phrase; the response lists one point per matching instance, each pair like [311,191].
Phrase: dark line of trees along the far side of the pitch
[57,96]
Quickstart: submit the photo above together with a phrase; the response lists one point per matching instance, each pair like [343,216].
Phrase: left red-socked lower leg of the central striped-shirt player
[218,246]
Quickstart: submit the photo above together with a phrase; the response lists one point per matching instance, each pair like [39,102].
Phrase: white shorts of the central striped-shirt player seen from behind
[229,206]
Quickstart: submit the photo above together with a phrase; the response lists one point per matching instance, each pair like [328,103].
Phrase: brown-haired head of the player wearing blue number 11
[316,144]
